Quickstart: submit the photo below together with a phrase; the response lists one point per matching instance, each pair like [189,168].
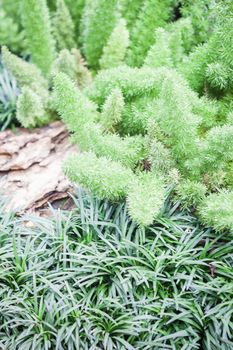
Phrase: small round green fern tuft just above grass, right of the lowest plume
[190,193]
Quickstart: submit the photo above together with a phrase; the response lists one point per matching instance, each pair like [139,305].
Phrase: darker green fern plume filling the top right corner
[210,66]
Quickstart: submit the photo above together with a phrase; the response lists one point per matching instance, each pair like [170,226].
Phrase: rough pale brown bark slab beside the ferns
[30,167]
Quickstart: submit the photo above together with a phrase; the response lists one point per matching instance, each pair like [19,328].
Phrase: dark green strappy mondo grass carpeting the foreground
[93,279]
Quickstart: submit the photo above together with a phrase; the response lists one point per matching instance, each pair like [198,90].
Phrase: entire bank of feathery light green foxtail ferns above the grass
[148,92]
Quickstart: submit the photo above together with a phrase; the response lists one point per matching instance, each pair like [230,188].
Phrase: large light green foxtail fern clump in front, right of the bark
[170,129]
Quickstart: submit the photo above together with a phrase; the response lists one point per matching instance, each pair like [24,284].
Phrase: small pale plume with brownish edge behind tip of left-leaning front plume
[72,64]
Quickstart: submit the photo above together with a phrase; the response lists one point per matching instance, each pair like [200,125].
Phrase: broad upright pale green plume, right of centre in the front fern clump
[175,118]
